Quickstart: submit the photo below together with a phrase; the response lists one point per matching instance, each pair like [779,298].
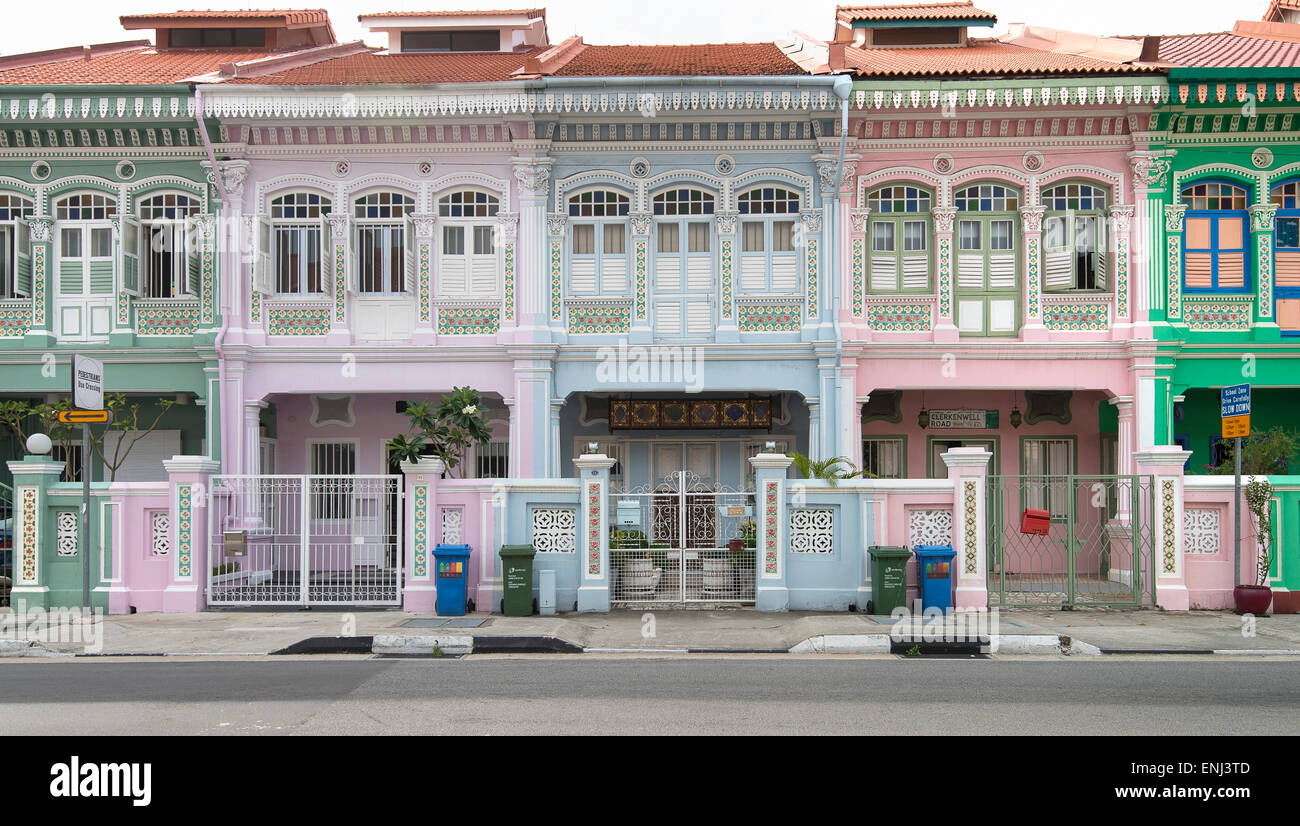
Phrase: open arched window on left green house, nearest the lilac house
[170,266]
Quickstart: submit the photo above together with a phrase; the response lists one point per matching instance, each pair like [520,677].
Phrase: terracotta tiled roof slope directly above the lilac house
[371,70]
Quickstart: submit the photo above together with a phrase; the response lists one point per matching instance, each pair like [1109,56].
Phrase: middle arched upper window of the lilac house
[384,243]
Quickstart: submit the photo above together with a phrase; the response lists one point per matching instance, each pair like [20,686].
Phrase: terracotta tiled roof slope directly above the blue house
[727,59]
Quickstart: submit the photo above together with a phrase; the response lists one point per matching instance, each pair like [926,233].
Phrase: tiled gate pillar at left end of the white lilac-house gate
[190,490]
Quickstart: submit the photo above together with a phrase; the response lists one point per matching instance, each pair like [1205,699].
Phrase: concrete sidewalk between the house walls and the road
[1093,632]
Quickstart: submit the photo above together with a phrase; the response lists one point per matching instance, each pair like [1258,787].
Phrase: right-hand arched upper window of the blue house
[769,262]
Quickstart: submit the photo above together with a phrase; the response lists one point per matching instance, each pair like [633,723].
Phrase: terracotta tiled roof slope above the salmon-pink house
[989,58]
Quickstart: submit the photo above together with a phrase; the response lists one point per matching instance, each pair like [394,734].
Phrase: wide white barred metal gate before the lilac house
[306,540]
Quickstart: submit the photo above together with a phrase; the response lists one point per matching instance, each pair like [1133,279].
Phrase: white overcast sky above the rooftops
[53,24]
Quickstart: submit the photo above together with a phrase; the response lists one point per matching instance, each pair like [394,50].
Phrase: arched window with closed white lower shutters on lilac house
[467,261]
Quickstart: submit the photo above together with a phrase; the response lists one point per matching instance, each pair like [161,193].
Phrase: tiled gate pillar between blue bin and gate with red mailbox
[968,468]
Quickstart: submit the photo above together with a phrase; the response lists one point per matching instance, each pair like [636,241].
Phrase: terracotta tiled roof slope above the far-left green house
[141,66]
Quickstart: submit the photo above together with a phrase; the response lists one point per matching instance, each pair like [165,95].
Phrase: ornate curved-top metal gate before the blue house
[683,540]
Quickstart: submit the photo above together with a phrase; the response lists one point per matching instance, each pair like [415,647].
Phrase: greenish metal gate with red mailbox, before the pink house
[1099,548]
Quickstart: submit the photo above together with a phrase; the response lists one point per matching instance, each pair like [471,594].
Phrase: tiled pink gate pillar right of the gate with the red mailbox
[1167,465]
